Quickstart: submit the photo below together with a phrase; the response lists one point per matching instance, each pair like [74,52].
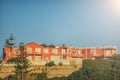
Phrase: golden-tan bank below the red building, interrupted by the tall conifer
[54,71]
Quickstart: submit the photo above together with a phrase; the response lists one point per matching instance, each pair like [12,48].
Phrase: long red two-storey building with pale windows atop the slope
[37,53]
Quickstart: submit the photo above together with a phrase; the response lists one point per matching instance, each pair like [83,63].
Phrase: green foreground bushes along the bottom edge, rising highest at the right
[98,69]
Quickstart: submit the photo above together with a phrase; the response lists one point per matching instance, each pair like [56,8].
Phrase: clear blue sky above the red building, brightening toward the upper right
[81,23]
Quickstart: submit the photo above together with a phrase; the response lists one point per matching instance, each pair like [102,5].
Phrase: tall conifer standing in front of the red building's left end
[22,65]
